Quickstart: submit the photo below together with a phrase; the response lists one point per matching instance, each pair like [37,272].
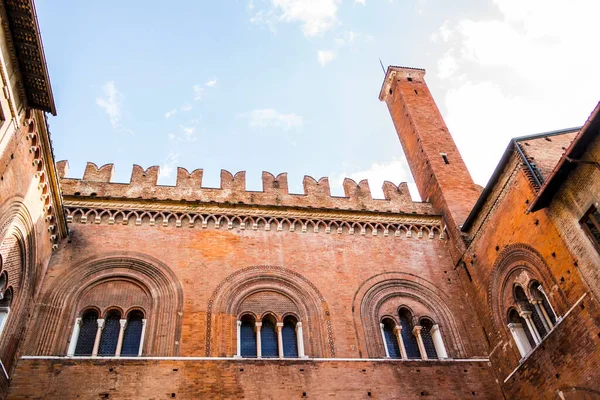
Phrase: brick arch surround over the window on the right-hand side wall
[518,264]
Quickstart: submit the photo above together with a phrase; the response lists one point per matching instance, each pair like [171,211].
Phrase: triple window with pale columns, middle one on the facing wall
[270,336]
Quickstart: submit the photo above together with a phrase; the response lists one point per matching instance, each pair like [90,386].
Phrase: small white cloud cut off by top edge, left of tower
[315,16]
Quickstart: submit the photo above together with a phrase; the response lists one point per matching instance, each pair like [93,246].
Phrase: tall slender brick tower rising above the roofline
[435,162]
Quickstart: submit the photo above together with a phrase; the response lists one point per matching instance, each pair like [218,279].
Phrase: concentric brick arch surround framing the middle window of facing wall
[224,306]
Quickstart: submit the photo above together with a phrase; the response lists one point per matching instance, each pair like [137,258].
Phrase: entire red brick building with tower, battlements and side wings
[138,290]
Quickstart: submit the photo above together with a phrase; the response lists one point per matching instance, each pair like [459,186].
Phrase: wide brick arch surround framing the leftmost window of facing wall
[58,307]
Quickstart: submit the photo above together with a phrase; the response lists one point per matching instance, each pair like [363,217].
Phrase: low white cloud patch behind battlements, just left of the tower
[394,171]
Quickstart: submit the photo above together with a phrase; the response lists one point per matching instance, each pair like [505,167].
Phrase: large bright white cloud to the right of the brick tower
[515,75]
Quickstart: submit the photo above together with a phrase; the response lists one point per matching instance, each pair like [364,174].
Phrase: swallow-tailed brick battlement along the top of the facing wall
[143,185]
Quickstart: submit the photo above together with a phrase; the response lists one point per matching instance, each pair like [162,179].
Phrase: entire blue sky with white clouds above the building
[292,85]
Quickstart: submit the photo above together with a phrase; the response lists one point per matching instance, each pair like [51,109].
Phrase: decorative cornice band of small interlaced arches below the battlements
[227,216]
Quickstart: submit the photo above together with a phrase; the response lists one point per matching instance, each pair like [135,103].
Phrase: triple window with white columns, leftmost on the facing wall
[109,335]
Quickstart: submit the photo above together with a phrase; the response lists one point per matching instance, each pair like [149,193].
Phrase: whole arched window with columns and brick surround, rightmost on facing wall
[407,319]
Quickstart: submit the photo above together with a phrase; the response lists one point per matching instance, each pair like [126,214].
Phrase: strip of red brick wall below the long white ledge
[148,379]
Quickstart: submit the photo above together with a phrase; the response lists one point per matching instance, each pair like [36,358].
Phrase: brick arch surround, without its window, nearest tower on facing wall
[378,295]
